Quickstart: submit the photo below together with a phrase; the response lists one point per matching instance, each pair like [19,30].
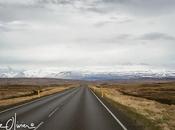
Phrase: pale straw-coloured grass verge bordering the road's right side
[147,114]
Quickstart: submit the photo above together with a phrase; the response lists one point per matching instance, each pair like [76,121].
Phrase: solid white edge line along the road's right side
[124,128]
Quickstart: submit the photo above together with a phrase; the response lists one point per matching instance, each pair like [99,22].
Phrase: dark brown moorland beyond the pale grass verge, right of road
[161,92]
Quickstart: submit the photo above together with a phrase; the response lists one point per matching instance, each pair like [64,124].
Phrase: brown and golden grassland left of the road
[12,95]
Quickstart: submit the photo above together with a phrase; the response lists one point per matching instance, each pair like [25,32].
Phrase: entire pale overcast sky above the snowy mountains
[77,34]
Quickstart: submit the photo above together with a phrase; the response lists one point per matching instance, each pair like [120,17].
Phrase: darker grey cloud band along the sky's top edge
[103,6]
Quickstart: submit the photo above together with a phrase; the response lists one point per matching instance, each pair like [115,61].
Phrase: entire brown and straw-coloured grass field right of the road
[150,104]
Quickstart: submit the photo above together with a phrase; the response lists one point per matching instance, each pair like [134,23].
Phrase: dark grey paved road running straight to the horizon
[74,109]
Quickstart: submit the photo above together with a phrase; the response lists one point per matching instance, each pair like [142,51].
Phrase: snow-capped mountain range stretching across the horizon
[85,75]
